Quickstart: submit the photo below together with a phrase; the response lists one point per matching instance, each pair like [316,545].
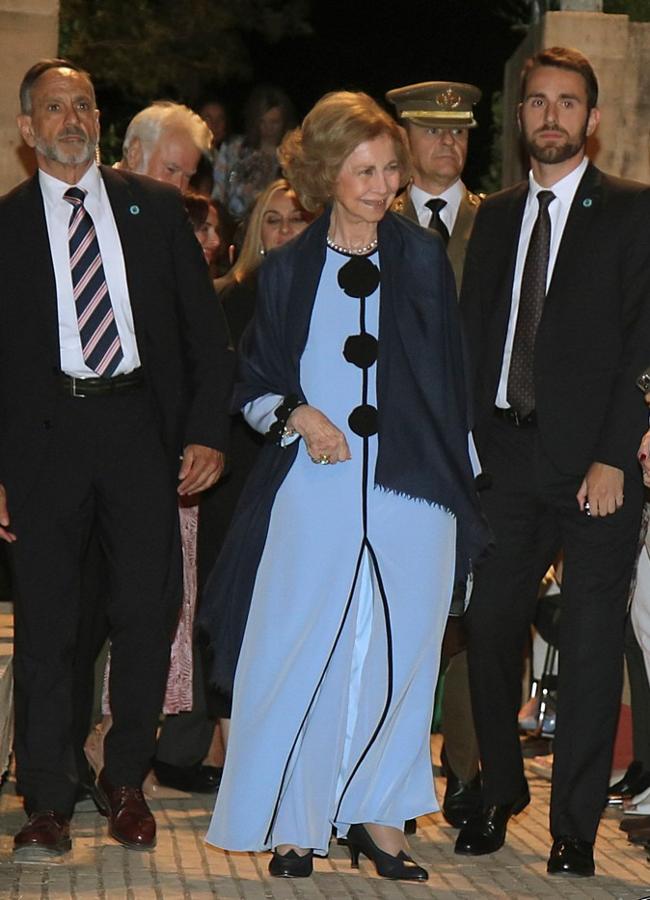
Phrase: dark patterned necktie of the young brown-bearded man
[521,384]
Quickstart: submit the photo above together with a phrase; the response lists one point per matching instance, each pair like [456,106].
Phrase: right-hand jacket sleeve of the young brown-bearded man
[627,417]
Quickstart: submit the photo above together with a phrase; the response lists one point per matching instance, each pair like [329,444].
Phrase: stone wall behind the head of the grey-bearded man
[29,30]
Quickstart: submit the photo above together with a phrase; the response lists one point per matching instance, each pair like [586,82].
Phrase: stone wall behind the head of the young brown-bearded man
[619,50]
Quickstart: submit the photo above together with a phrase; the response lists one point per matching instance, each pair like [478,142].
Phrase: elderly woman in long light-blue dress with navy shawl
[358,519]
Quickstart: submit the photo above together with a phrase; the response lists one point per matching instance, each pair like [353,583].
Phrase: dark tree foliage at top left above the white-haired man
[147,49]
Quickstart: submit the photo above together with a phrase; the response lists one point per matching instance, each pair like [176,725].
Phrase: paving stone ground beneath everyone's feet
[182,866]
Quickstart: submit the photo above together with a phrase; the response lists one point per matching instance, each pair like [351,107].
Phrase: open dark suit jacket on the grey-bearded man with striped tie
[180,330]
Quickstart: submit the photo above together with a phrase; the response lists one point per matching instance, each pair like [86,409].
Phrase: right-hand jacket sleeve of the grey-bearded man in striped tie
[209,356]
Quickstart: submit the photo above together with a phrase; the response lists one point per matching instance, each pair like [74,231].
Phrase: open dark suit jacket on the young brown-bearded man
[594,336]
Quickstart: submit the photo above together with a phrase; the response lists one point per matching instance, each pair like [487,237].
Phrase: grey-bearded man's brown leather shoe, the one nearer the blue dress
[129,818]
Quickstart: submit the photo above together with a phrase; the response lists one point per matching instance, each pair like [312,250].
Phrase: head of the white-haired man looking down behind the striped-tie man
[166,141]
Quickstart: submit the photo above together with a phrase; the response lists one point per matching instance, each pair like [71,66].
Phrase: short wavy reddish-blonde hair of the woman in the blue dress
[311,156]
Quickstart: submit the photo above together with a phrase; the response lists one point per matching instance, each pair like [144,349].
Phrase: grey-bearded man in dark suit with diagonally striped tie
[114,362]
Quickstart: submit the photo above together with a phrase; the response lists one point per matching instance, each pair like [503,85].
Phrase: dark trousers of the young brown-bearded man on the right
[533,512]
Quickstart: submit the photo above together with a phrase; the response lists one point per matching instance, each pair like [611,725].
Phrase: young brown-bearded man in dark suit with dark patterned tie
[556,301]
